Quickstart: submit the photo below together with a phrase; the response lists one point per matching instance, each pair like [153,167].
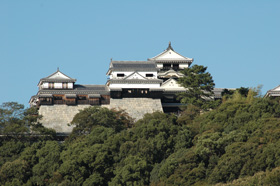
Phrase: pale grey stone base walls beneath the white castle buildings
[58,116]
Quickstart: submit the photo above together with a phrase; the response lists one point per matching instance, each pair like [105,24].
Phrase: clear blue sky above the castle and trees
[237,40]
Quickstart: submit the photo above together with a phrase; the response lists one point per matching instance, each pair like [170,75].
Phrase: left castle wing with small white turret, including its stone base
[59,99]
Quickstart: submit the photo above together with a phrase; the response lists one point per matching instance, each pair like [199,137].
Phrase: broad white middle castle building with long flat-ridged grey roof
[133,79]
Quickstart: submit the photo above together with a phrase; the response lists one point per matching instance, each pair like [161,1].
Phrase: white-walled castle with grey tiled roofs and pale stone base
[138,87]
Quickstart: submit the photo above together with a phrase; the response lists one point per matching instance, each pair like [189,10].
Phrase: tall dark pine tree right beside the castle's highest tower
[199,85]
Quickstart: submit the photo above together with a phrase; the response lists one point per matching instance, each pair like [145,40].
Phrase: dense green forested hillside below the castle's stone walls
[235,144]
